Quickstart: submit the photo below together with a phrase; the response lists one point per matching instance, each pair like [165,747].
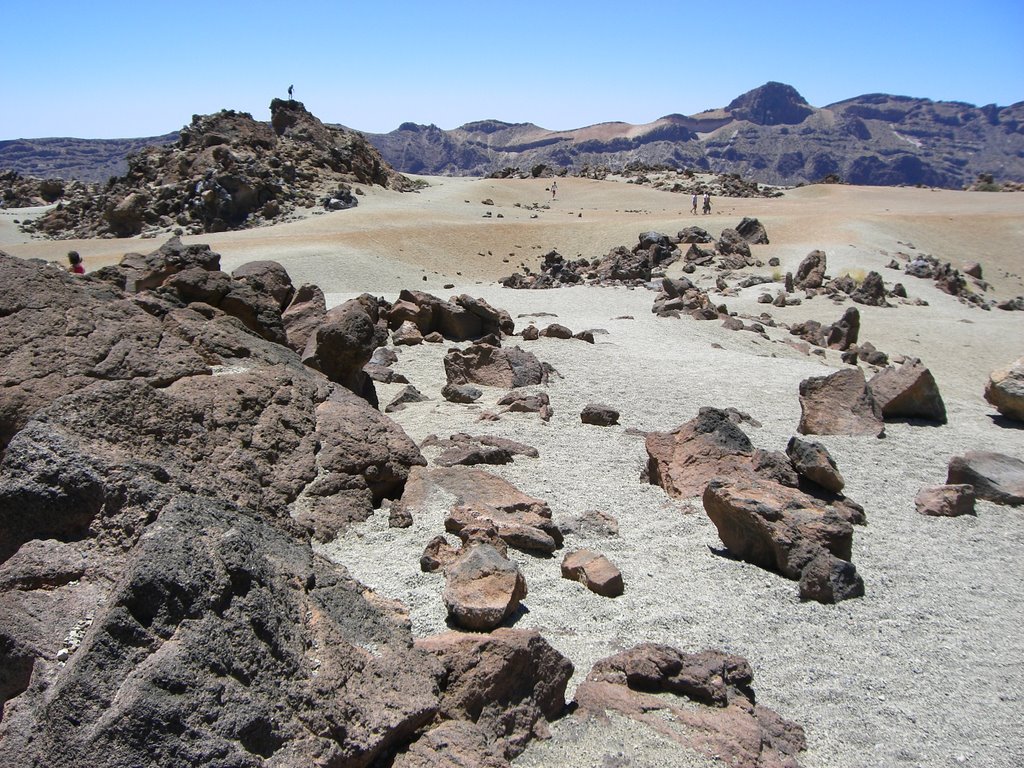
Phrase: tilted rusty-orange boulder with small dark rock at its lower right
[775,527]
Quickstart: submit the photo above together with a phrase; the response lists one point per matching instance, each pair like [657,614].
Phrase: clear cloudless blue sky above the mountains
[99,69]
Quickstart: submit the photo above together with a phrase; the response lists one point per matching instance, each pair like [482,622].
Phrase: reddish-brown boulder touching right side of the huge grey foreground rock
[509,685]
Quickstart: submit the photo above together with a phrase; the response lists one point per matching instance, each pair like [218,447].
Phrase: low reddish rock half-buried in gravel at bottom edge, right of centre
[720,719]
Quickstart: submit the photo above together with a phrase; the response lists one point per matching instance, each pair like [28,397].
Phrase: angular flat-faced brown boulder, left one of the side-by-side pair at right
[840,404]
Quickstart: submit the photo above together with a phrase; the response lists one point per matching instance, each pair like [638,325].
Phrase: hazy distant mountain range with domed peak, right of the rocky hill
[770,135]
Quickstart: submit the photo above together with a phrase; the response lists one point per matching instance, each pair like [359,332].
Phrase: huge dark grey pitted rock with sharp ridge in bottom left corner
[214,625]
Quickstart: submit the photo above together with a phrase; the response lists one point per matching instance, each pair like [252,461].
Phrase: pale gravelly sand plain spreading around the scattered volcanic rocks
[927,669]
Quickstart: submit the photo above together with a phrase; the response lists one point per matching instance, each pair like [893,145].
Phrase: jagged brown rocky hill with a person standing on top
[226,172]
